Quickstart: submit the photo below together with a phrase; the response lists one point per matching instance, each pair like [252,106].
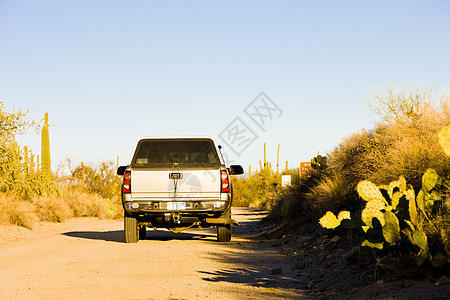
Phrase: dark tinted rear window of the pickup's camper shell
[154,153]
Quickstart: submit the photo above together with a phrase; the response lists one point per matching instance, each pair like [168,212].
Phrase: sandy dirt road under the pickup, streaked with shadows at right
[87,258]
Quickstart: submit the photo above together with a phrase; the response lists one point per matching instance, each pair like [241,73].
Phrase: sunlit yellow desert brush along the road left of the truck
[27,194]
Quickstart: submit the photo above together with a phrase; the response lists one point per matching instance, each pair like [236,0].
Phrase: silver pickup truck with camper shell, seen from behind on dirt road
[177,182]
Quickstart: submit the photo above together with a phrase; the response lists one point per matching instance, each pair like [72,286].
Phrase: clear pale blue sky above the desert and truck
[109,71]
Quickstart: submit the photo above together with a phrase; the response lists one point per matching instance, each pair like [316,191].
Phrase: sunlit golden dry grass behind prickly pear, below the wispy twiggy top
[405,148]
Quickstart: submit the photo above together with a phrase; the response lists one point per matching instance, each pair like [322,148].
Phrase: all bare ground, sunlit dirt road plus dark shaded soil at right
[87,258]
